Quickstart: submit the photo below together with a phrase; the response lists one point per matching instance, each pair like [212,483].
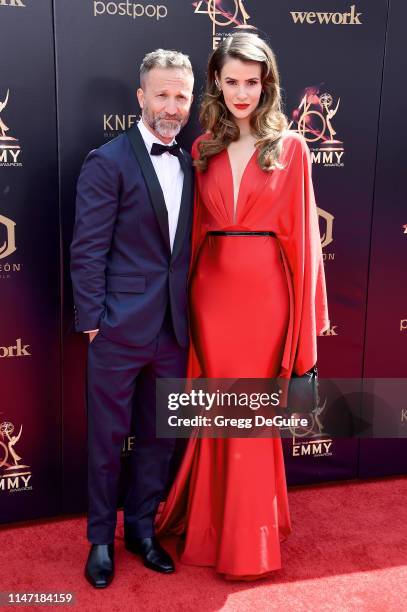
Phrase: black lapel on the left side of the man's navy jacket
[152,182]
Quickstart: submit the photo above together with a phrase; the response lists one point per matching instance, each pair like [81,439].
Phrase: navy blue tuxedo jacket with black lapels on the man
[123,272]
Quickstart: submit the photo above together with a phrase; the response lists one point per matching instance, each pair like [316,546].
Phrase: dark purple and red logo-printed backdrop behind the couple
[67,85]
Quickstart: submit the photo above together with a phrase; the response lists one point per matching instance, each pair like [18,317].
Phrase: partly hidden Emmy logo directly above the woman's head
[224,14]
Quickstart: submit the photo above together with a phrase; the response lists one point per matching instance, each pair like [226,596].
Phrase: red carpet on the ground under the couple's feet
[348,552]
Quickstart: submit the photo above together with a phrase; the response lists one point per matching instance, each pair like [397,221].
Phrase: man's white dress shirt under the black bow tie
[171,178]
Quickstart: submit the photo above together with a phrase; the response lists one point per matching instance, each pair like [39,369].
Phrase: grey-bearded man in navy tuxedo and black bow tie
[129,264]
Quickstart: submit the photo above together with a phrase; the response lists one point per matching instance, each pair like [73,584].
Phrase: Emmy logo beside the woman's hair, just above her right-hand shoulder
[313,118]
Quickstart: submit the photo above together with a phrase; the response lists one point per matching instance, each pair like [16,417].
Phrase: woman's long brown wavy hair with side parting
[267,121]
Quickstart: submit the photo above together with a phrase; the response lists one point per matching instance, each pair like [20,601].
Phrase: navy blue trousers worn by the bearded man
[113,370]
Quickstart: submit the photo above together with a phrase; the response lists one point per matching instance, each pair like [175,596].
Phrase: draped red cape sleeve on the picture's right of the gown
[302,254]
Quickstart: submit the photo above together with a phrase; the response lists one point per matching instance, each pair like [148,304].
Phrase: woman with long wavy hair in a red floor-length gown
[257,303]
